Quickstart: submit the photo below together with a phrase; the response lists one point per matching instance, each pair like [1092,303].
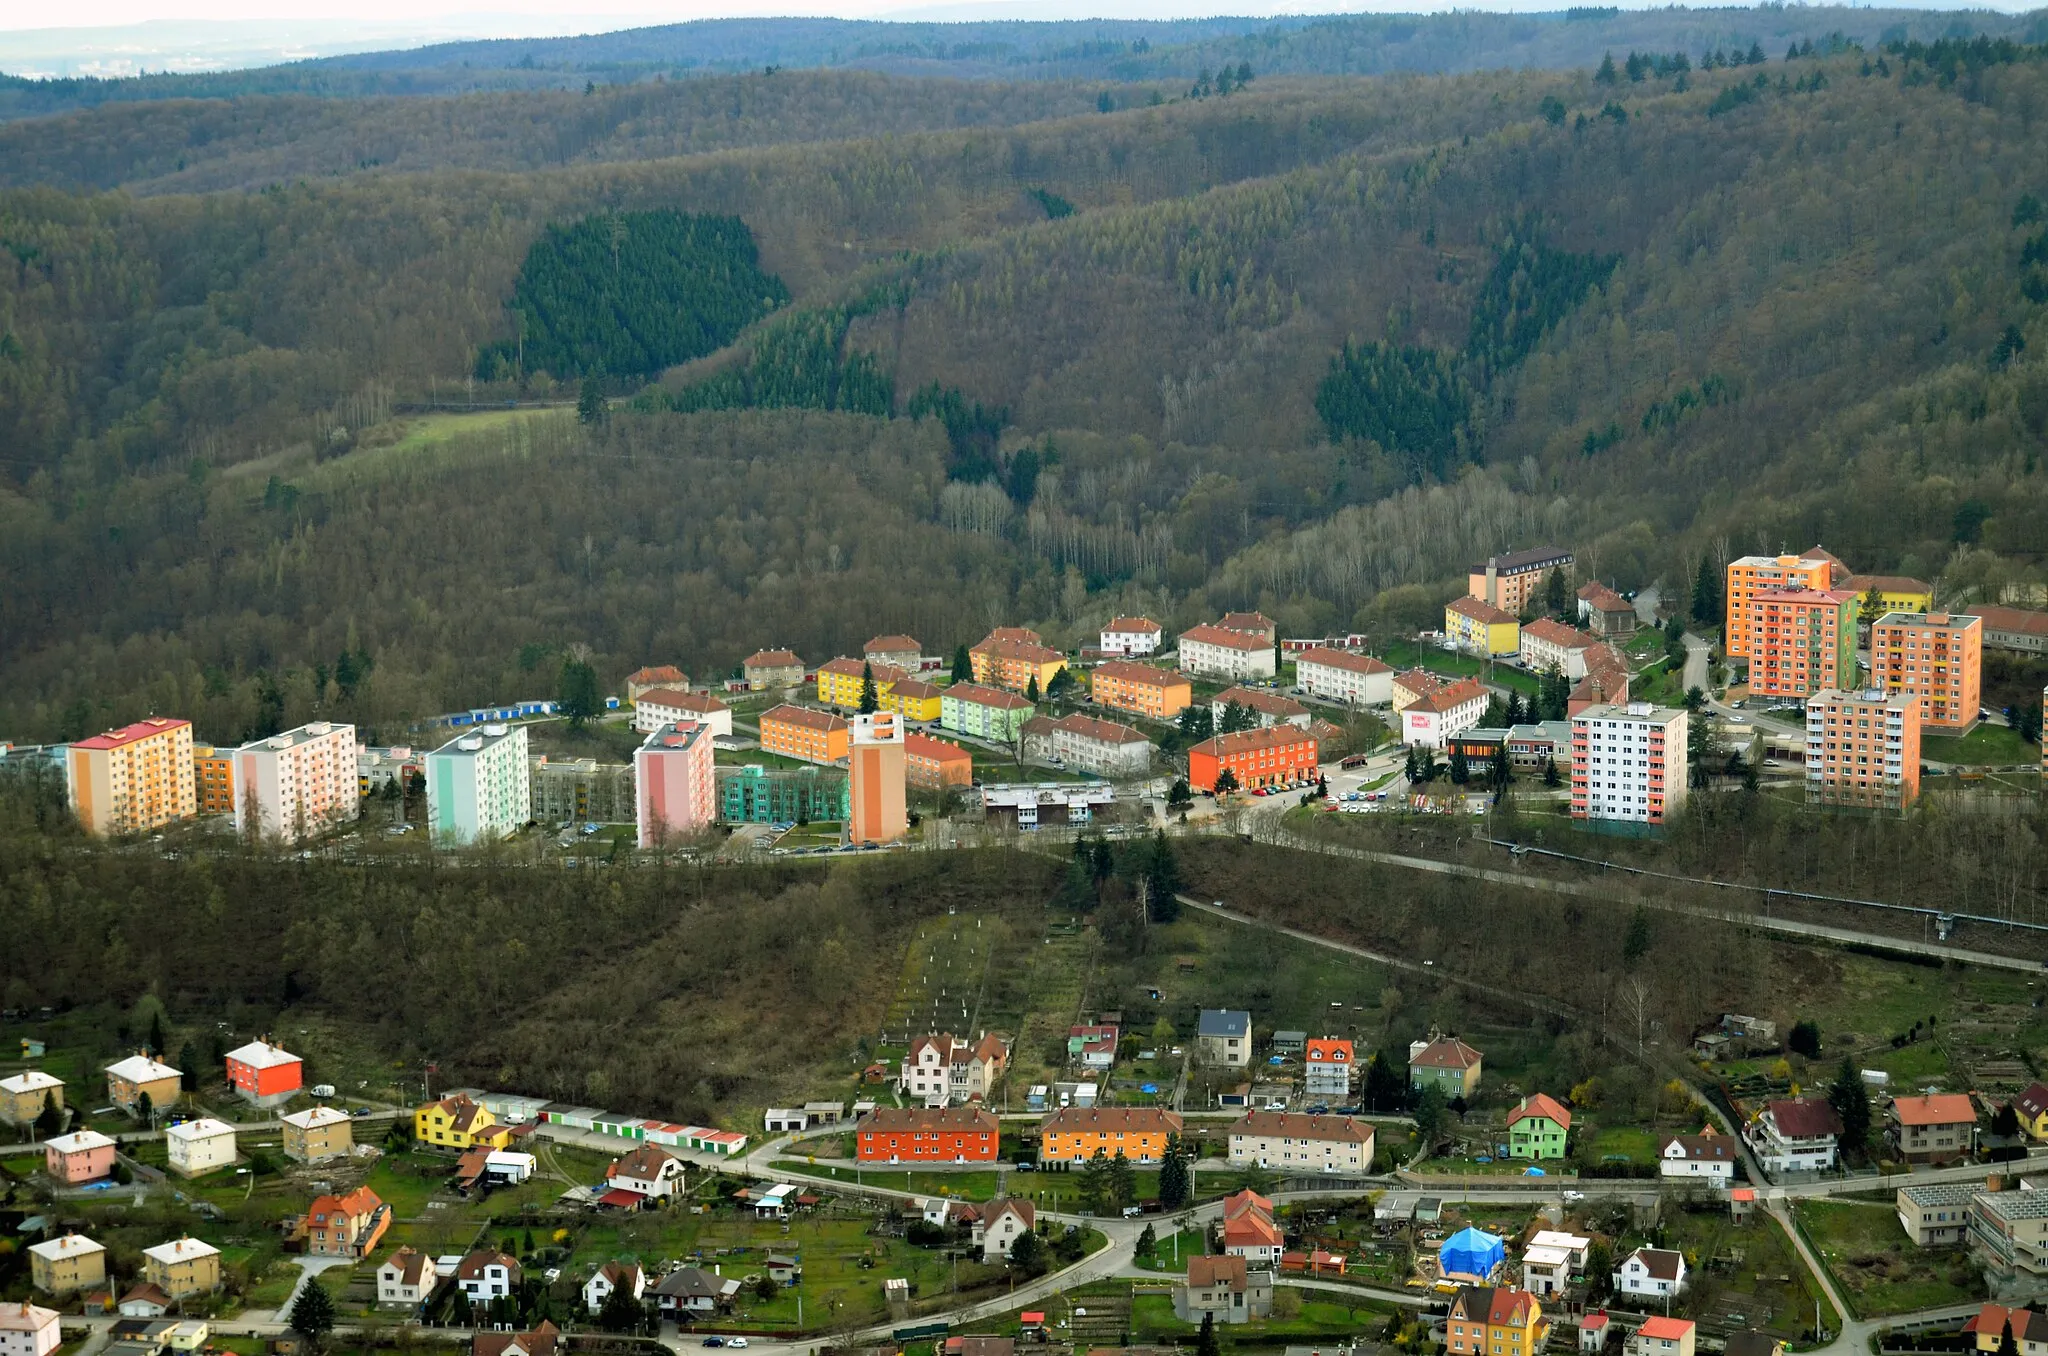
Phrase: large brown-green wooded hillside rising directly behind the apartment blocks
[1308,347]
